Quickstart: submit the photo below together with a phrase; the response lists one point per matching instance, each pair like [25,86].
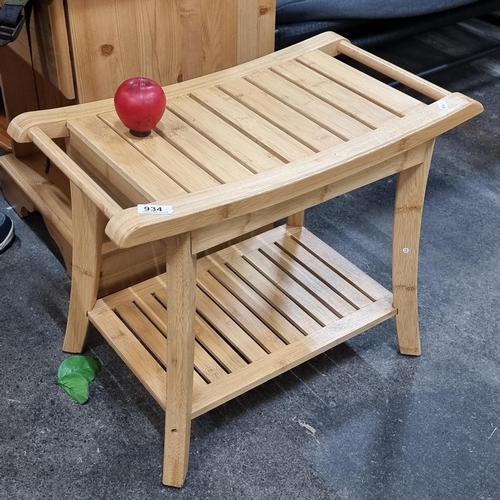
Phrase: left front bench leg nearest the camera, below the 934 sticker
[181,304]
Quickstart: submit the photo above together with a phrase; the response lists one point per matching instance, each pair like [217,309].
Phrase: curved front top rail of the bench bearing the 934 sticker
[265,189]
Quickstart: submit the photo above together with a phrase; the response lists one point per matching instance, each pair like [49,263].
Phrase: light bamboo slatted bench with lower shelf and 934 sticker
[234,153]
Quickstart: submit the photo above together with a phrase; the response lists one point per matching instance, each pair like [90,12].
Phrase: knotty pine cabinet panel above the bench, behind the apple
[167,40]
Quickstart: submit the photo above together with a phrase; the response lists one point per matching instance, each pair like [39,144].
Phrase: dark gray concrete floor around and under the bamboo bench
[386,426]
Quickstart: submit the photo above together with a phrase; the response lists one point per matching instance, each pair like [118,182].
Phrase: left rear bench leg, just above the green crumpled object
[88,231]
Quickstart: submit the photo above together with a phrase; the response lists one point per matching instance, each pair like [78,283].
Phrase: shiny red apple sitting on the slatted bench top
[140,103]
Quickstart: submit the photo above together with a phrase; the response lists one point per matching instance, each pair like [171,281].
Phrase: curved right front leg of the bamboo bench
[410,193]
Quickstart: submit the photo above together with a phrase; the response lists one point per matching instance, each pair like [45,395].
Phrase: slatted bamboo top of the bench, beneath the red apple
[237,129]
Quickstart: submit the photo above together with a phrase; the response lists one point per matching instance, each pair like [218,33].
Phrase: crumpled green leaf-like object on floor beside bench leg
[74,375]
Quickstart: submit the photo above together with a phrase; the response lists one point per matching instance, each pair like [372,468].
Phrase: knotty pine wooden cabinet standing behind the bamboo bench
[83,49]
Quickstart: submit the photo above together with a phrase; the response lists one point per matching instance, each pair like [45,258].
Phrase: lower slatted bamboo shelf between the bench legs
[263,306]
